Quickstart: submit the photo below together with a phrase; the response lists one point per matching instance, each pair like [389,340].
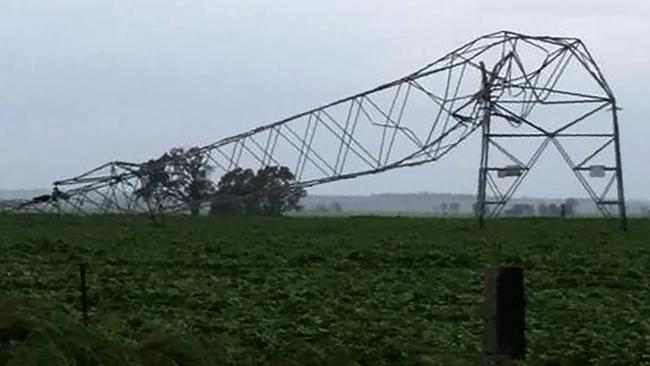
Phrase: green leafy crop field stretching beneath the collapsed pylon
[307,291]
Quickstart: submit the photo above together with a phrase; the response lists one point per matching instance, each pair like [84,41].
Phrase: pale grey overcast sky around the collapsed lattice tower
[85,82]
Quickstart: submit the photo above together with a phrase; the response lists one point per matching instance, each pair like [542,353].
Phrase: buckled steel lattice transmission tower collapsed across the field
[521,93]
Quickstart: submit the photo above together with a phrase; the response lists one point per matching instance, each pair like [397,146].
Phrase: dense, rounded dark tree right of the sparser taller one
[270,191]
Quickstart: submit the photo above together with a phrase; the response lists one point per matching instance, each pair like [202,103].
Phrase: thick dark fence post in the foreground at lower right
[504,333]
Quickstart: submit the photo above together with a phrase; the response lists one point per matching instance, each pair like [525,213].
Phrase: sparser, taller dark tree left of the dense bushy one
[177,175]
